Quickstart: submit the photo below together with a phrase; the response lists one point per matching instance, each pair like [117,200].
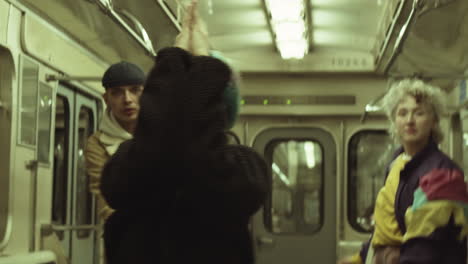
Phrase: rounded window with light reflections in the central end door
[295,204]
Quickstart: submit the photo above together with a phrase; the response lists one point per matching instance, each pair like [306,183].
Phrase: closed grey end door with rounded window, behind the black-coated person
[298,222]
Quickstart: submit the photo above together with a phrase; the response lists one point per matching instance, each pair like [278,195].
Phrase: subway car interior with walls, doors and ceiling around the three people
[313,76]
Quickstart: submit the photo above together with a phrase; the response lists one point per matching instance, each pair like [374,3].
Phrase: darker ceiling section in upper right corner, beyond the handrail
[434,43]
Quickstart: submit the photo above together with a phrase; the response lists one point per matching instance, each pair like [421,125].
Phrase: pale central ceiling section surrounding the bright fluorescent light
[341,36]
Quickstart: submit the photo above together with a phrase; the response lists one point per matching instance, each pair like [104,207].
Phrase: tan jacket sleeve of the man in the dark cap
[96,157]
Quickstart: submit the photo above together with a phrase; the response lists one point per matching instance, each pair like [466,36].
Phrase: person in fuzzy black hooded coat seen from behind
[181,193]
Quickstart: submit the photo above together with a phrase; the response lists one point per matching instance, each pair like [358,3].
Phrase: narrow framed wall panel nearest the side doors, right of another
[45,111]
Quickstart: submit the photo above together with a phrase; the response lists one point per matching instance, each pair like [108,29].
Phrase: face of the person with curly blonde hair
[414,121]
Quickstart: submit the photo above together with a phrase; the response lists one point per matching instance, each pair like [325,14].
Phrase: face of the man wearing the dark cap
[123,101]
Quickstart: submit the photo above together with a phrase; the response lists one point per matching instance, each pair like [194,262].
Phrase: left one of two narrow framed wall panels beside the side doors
[28,106]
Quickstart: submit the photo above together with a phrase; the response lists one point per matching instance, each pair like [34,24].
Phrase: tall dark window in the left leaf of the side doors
[61,147]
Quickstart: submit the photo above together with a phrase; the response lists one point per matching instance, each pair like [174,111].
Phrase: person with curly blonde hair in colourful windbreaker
[420,211]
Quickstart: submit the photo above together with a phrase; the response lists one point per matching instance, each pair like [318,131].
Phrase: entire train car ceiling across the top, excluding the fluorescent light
[396,37]
